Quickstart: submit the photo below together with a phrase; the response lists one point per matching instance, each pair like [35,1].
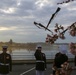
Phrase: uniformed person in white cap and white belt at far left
[5,62]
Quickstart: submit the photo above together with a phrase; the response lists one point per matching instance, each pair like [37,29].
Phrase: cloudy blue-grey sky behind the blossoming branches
[17,19]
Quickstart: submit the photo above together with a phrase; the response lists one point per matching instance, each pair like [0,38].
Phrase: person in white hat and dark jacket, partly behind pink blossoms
[60,58]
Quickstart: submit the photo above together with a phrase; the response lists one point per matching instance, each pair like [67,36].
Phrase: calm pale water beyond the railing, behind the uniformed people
[24,54]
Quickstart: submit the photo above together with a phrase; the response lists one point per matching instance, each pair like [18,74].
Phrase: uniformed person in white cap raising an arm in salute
[40,61]
